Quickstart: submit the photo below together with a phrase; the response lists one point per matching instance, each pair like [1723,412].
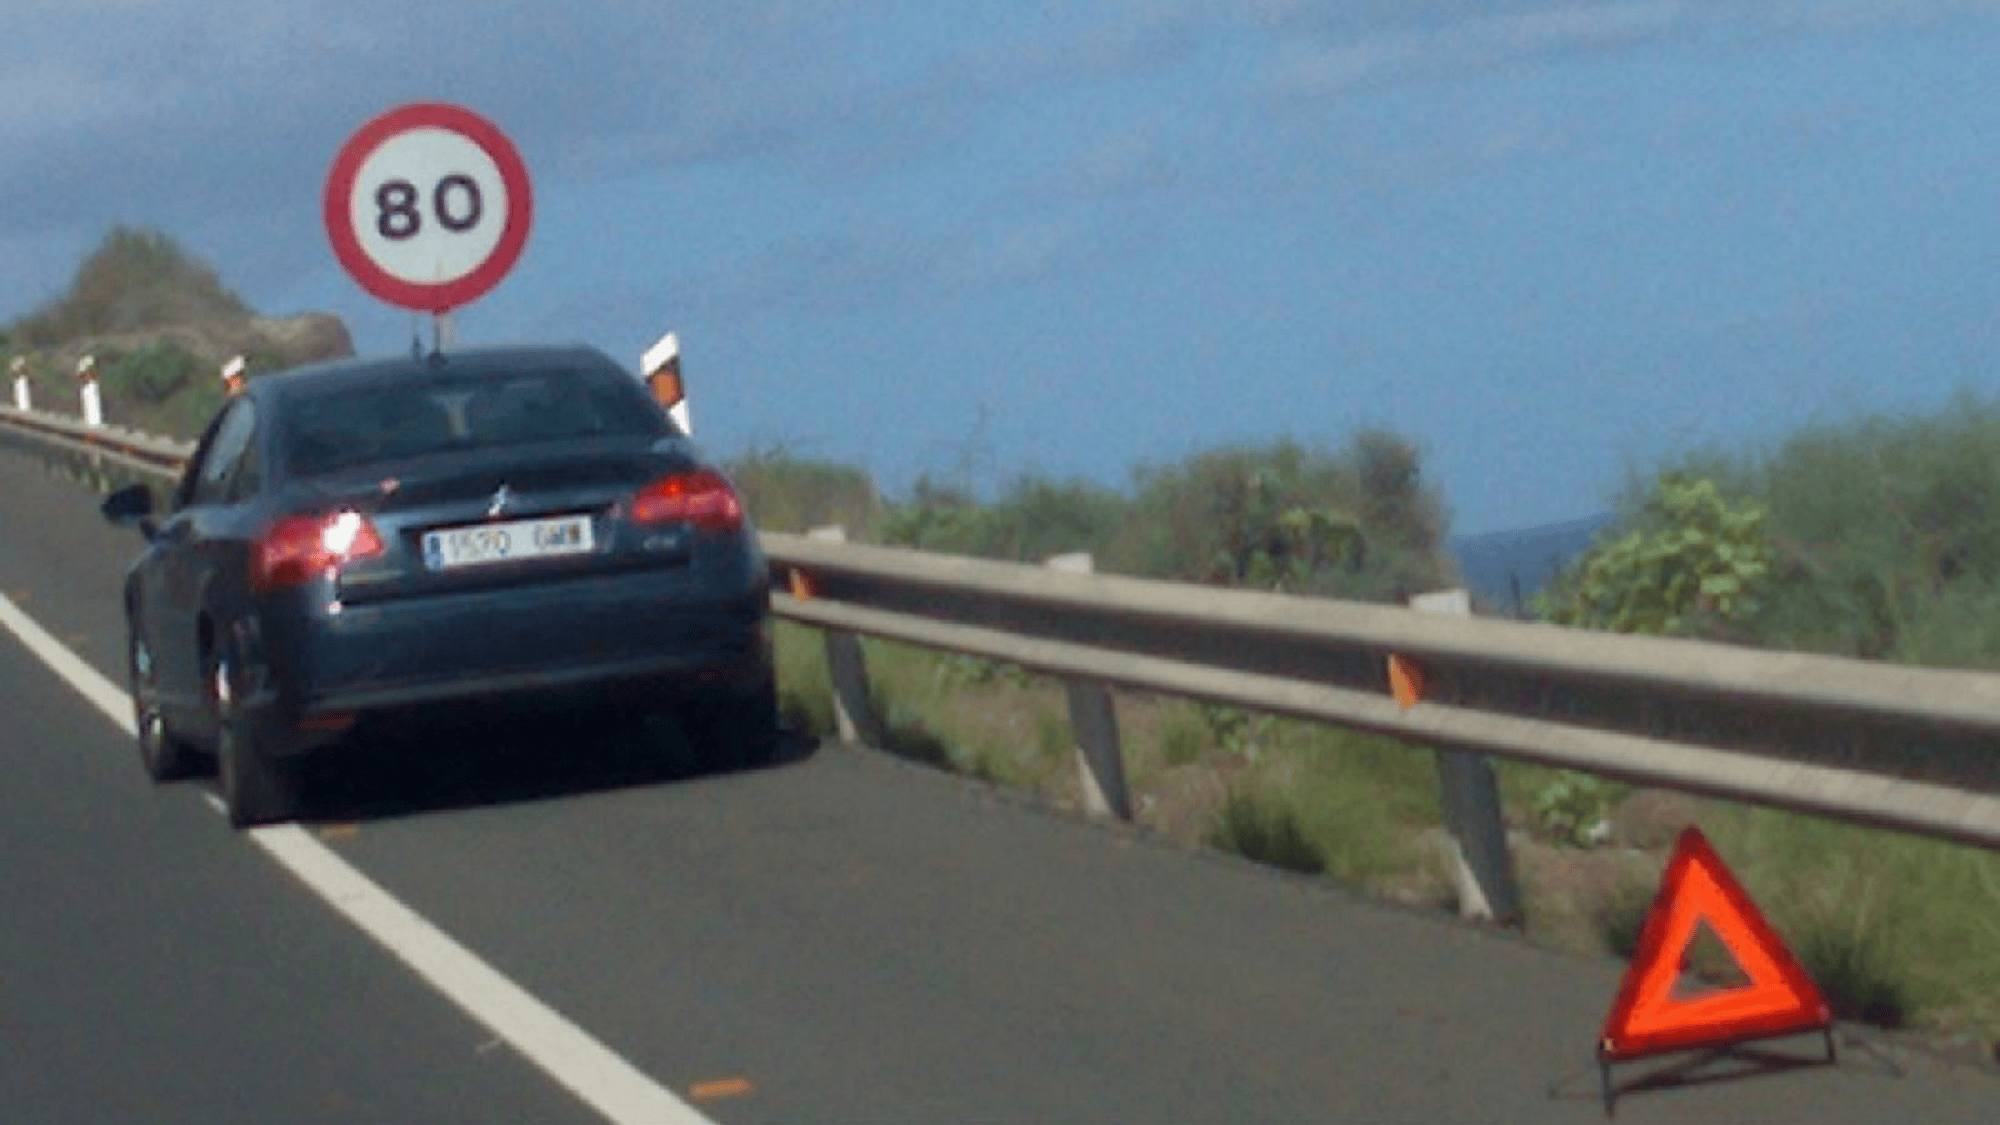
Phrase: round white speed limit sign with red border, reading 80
[429,207]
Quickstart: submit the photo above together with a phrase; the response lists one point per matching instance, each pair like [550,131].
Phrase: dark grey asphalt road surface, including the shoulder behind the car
[841,938]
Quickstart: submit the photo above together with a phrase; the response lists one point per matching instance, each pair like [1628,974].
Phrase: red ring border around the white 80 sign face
[381,283]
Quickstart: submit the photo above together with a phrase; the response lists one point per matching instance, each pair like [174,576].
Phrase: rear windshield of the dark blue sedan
[345,427]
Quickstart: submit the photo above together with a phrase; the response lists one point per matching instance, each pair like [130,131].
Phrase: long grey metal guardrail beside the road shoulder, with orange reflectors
[1889,746]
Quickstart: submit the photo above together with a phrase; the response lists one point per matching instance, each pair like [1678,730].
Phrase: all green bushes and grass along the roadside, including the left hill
[1873,537]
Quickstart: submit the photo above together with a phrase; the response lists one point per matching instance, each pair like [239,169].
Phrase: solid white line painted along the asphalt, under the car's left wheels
[569,1054]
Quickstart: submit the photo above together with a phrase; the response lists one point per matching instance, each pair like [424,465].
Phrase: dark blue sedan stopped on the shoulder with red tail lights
[463,533]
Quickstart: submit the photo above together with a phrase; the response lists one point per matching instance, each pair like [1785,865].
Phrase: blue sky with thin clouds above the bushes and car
[1545,241]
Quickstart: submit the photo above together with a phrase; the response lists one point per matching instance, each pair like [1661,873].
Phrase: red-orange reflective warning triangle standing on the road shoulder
[1649,1016]
